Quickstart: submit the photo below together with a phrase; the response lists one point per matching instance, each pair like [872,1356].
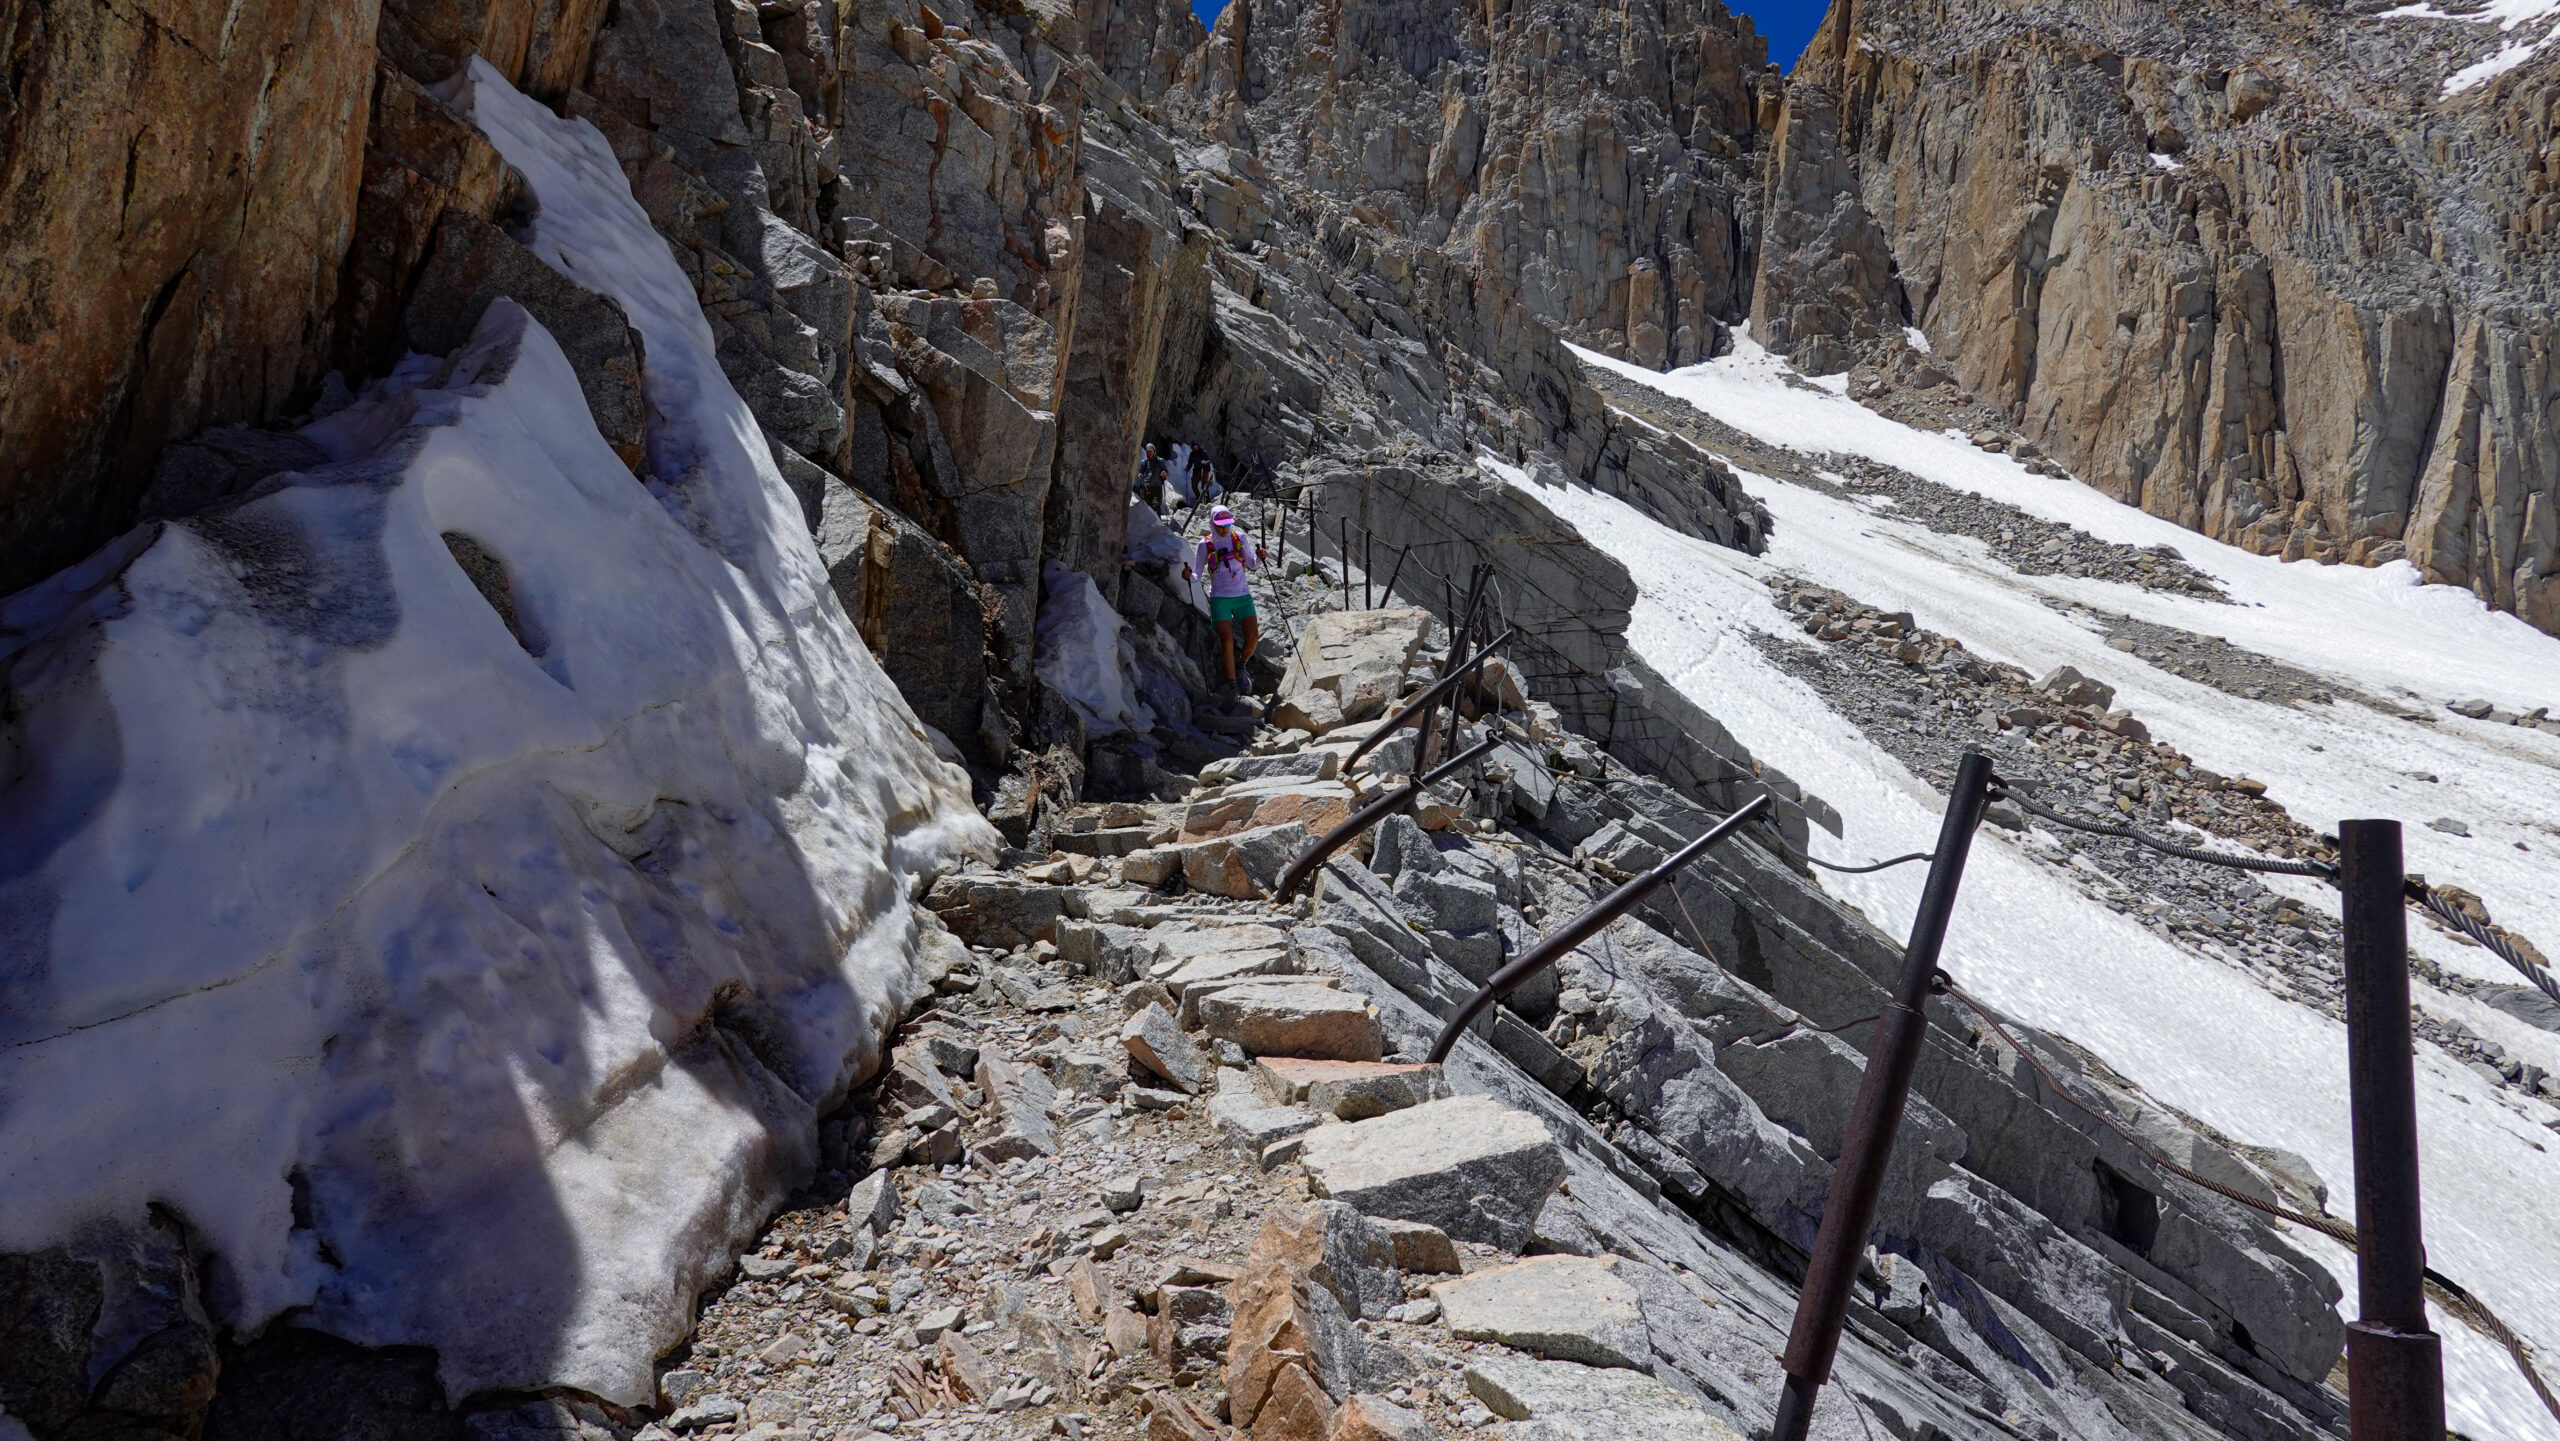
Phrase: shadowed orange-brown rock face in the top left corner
[163,267]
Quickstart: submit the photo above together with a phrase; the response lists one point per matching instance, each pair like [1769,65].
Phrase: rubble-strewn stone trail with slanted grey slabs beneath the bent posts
[1156,1156]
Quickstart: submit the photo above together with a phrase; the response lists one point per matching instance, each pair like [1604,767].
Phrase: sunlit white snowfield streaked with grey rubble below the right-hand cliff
[2190,1028]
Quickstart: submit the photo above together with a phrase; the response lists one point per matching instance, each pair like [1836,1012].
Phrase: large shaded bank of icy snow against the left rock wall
[465,984]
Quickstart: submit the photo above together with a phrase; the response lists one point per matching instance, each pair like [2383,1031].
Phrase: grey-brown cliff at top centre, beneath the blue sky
[1596,160]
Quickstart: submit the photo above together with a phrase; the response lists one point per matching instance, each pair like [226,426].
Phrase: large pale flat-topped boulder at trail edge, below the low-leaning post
[1468,1166]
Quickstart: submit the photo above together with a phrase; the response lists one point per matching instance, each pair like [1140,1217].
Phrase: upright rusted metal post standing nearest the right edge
[2395,1363]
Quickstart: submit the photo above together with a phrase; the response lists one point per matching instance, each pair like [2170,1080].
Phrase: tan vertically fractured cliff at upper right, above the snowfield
[2272,273]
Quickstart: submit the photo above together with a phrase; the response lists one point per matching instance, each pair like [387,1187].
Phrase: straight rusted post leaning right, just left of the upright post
[1875,1117]
